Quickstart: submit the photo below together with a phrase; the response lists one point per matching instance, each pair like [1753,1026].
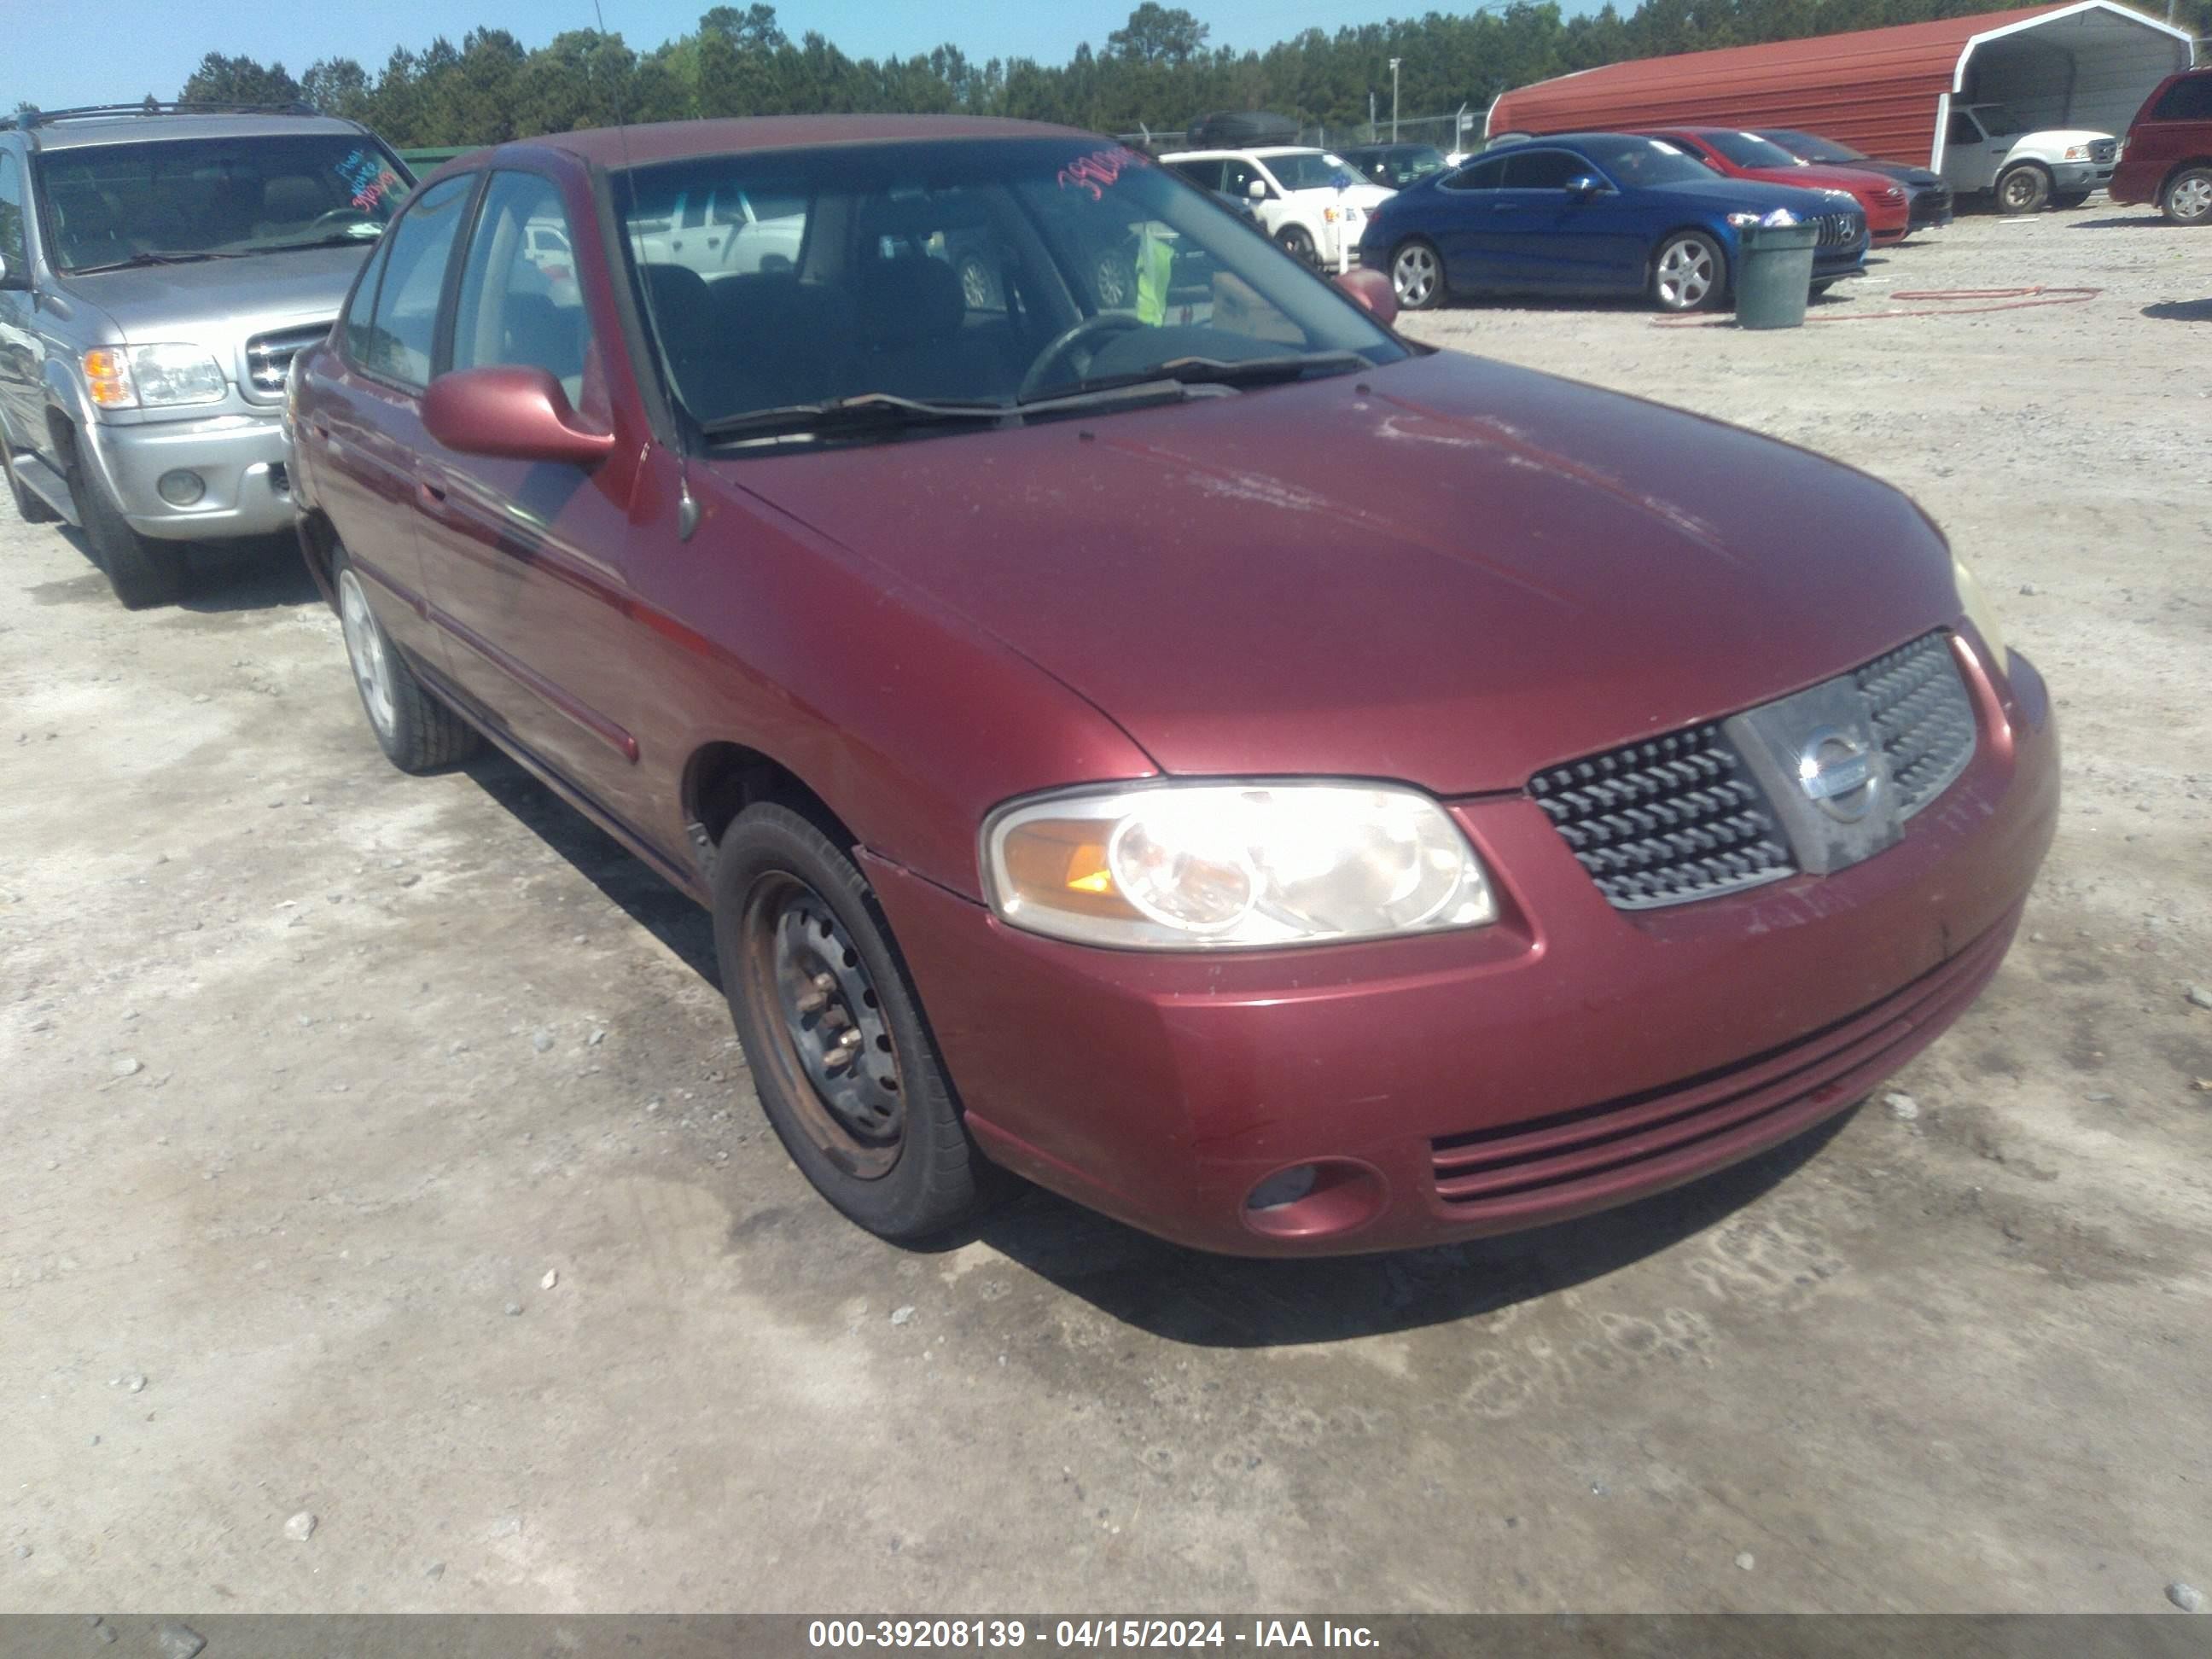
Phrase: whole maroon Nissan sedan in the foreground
[1136,720]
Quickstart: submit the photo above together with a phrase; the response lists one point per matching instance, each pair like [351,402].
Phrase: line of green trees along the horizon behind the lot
[1158,72]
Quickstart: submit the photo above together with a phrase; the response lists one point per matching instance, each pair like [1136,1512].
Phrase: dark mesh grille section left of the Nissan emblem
[1665,822]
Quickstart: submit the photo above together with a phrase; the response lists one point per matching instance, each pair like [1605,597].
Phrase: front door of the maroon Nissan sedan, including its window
[525,556]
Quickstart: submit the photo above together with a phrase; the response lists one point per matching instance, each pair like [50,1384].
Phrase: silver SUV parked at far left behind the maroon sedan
[158,271]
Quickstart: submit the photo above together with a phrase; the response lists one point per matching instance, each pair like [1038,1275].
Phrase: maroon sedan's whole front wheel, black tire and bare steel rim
[791,906]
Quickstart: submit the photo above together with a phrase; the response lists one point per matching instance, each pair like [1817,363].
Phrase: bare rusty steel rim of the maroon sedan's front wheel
[831,1041]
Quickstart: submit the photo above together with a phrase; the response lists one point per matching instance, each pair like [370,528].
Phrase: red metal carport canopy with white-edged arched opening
[1884,90]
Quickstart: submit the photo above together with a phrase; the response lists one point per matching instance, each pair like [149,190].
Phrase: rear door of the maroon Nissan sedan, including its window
[364,421]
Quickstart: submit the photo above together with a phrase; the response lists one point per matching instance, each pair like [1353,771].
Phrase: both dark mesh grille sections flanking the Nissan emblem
[1682,817]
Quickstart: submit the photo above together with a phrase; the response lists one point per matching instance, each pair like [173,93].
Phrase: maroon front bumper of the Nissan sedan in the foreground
[1563,1061]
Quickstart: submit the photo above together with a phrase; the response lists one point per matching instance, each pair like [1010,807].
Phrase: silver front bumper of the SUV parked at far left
[240,459]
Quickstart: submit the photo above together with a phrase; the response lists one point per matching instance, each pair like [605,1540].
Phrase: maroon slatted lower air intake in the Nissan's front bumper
[1638,1142]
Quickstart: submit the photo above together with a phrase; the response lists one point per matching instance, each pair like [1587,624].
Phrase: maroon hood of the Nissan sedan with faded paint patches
[1448,572]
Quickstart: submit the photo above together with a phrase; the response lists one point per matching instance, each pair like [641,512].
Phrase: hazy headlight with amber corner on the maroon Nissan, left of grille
[1233,866]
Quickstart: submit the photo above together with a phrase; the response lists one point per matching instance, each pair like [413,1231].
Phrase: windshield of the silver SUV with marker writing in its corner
[174,200]
